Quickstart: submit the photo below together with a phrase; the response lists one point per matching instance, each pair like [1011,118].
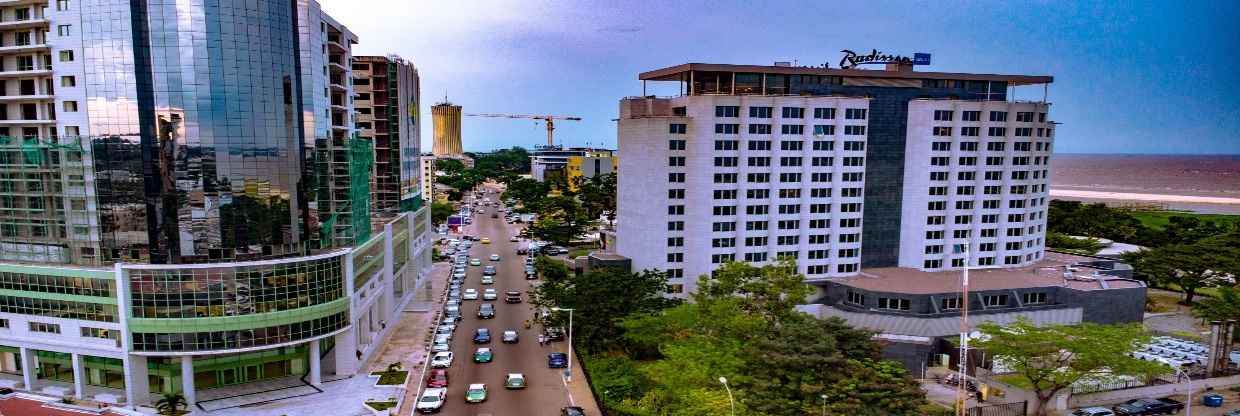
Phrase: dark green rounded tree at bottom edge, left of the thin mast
[788,372]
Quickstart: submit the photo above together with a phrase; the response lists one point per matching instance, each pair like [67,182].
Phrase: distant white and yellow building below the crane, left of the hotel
[556,162]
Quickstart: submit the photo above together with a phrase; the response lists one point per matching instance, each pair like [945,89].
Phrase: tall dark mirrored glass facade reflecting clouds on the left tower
[195,111]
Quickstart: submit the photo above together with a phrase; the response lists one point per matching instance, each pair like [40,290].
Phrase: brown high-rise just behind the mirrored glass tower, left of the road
[386,96]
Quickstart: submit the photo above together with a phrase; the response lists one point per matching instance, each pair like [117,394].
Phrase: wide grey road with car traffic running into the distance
[546,393]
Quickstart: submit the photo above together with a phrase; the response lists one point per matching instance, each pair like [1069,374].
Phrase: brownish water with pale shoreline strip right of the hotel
[1206,184]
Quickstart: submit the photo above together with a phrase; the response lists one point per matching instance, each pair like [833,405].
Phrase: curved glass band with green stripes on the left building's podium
[234,291]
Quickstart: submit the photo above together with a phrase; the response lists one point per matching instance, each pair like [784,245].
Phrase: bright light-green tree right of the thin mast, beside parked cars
[1052,358]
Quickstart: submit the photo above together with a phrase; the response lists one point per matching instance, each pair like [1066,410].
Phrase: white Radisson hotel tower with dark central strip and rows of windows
[838,170]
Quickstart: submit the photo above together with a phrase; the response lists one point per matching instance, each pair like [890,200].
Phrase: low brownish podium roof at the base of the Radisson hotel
[1048,273]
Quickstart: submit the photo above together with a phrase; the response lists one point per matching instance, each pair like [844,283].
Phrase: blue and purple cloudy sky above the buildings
[1144,78]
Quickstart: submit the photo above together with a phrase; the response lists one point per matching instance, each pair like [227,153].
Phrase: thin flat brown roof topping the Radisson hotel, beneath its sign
[675,74]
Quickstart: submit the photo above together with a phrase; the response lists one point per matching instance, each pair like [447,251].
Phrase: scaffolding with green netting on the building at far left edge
[48,202]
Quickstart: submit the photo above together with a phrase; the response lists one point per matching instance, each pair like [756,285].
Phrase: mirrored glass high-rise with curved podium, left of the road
[161,209]
